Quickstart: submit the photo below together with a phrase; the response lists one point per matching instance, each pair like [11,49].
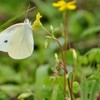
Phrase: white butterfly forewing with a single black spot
[6,35]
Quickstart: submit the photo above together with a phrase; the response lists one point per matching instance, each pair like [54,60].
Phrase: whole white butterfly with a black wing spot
[17,40]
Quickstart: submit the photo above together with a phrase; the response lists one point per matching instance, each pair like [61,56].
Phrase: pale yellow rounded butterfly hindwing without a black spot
[21,44]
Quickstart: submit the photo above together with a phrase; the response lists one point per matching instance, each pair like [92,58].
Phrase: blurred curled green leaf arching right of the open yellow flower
[76,22]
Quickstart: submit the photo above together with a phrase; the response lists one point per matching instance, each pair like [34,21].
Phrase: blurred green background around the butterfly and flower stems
[16,76]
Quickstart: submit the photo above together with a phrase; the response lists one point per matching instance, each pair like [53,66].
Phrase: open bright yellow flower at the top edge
[65,5]
